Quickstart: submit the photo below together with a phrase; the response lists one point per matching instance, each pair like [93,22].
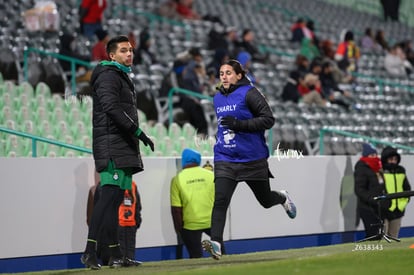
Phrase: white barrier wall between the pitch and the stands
[43,202]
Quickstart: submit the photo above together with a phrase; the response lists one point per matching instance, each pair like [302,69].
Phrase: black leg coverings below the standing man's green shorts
[104,219]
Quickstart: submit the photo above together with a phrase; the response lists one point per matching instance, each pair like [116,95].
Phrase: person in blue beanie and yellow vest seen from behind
[192,199]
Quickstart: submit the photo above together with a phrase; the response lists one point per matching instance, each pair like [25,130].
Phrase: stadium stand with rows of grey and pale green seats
[384,103]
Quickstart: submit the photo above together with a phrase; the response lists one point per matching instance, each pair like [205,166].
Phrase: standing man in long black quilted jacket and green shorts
[116,152]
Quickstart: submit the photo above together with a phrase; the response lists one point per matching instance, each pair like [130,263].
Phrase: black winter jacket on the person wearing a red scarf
[368,186]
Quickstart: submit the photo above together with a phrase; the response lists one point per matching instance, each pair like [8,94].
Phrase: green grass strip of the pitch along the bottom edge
[352,258]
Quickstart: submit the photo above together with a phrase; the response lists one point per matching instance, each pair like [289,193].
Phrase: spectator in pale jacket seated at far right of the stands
[395,62]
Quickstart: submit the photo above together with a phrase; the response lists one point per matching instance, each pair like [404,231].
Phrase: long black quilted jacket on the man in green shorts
[115,120]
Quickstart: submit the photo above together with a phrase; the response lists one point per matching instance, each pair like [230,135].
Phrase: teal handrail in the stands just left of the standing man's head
[73,63]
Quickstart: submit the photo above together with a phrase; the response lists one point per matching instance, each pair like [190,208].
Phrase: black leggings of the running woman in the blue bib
[224,191]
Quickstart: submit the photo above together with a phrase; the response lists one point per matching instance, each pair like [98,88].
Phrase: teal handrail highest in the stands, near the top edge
[153,18]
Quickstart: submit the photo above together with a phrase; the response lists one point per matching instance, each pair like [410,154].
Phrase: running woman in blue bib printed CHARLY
[240,153]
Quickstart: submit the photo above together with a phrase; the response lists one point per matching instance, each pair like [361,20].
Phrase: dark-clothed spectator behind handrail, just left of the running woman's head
[193,78]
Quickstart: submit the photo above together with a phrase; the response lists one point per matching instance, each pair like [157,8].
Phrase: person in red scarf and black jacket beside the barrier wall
[369,183]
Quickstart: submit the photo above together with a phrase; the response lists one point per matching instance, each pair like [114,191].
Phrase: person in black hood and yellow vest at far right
[396,181]
